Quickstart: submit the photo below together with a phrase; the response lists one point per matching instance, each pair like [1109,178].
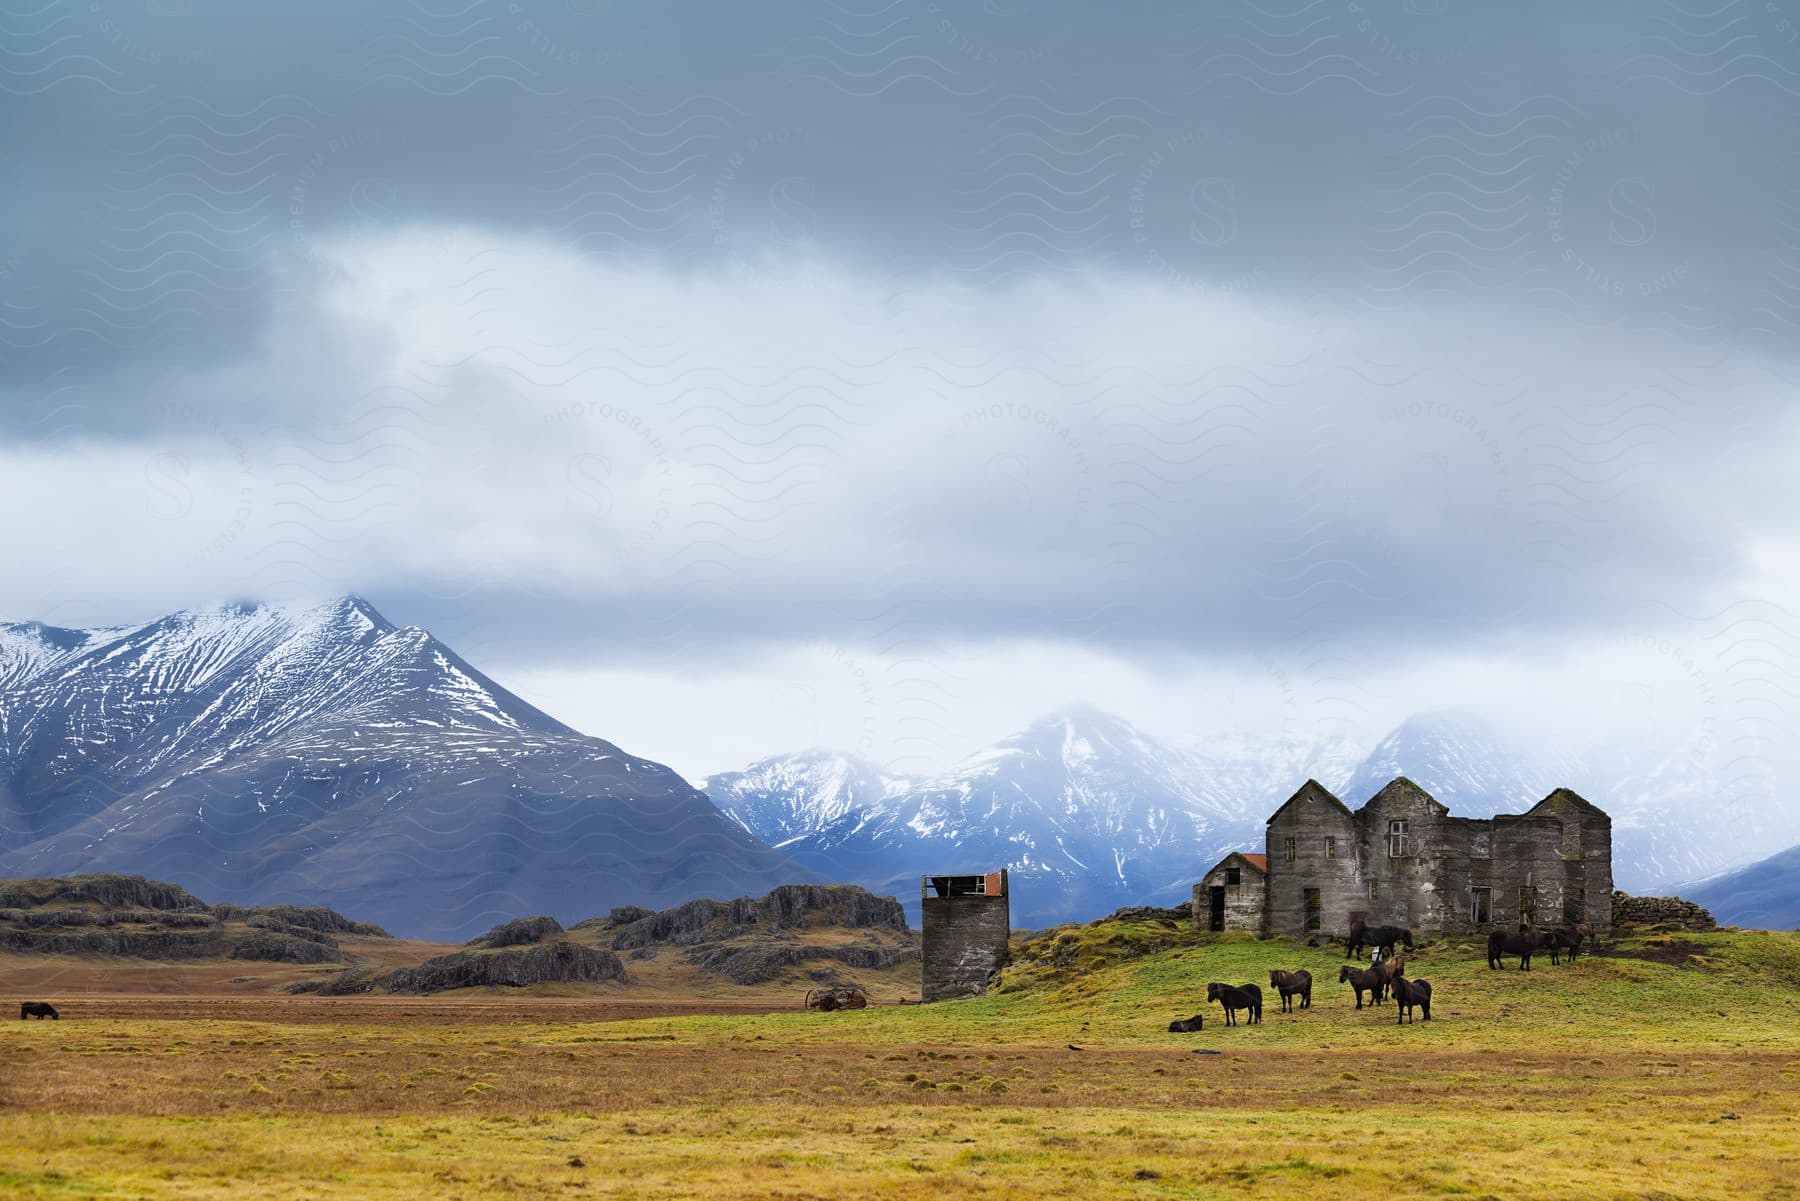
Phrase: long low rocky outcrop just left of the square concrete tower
[791,907]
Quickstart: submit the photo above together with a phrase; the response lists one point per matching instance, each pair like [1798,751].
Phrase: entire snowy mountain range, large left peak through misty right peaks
[321,755]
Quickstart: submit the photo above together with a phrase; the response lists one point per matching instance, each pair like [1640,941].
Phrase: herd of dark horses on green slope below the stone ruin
[1387,977]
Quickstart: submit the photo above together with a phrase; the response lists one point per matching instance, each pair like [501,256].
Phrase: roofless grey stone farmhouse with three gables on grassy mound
[1403,860]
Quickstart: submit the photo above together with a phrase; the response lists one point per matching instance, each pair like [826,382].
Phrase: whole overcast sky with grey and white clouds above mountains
[730,379]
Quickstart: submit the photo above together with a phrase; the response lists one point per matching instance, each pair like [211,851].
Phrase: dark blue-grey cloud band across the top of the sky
[172,165]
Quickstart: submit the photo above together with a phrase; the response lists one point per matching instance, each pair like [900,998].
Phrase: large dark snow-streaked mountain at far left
[321,754]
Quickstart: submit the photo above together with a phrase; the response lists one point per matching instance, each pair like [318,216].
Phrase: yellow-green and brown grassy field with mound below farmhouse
[1666,1069]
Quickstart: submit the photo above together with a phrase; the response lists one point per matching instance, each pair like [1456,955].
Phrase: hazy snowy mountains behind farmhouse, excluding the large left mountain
[1090,813]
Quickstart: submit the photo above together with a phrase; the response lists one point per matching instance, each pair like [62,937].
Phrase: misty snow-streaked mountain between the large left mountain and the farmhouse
[1086,813]
